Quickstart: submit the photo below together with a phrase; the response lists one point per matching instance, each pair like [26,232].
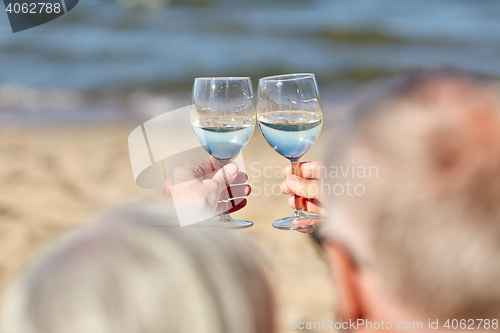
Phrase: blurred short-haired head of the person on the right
[429,218]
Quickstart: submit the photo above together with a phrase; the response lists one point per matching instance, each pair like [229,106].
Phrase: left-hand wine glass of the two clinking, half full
[223,120]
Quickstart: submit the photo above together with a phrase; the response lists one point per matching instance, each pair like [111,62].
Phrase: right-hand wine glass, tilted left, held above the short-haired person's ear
[290,117]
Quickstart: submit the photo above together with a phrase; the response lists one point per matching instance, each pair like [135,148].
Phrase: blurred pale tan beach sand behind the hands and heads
[55,178]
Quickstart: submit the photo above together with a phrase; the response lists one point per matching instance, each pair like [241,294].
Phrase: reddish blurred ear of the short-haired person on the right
[346,277]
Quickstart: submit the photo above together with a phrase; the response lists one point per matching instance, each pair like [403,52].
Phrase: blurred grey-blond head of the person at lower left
[134,272]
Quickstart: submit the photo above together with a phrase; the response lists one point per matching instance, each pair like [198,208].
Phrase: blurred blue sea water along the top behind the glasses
[107,50]
